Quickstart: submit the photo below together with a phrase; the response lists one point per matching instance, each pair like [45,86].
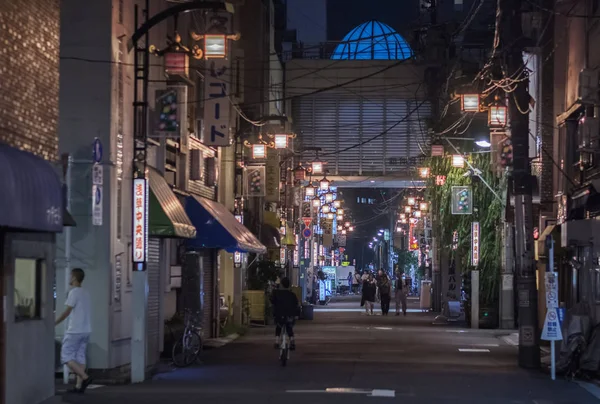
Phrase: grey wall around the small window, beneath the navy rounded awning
[30,343]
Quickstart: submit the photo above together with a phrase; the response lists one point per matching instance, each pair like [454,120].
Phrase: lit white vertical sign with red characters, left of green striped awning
[140,221]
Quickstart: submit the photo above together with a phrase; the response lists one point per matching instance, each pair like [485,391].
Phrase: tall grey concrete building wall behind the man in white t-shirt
[96,95]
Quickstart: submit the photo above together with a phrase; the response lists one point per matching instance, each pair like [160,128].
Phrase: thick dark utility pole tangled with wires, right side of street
[512,47]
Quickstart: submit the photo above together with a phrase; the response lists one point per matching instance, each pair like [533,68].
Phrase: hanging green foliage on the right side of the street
[487,210]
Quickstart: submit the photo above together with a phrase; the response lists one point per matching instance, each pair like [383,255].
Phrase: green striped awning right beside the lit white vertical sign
[167,217]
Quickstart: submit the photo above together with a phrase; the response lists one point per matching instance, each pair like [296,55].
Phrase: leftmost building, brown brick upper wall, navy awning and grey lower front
[32,207]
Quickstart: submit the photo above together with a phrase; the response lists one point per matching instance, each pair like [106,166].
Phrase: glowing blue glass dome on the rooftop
[373,40]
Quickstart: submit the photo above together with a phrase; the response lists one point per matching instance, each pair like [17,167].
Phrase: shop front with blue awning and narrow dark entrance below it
[216,229]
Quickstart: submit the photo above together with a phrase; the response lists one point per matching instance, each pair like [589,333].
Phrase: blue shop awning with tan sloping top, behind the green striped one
[216,227]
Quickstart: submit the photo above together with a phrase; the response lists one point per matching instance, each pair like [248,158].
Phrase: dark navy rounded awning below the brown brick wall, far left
[32,192]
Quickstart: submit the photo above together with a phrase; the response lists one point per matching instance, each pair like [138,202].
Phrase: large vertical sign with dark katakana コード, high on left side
[216,103]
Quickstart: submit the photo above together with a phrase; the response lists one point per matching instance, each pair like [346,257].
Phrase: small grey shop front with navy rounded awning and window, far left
[31,212]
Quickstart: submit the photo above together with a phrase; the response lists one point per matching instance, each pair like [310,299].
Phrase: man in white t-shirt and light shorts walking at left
[78,330]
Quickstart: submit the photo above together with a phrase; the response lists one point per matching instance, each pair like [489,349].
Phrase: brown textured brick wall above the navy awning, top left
[29,66]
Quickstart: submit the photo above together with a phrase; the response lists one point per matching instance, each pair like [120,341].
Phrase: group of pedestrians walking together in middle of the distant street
[380,289]
